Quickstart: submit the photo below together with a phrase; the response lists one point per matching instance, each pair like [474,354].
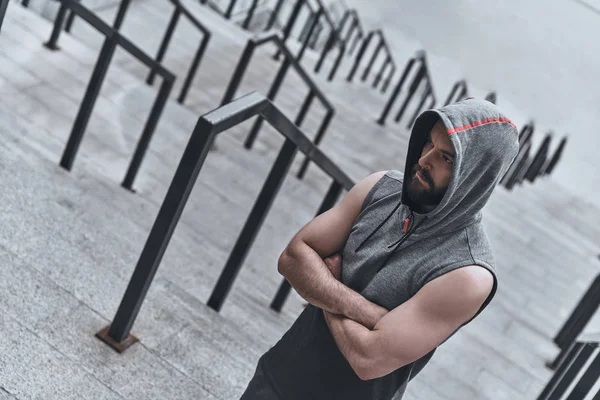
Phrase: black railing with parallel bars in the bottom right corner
[576,377]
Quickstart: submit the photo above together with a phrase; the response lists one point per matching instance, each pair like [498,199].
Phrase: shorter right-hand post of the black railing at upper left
[147,133]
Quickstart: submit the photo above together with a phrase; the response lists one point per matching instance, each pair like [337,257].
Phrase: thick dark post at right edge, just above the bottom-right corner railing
[580,316]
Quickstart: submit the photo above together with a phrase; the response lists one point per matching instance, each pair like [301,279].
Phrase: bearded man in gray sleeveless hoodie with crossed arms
[414,265]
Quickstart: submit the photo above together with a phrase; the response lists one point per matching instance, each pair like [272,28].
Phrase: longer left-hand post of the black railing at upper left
[87,105]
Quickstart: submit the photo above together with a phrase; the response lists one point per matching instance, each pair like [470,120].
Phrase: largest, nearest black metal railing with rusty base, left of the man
[117,334]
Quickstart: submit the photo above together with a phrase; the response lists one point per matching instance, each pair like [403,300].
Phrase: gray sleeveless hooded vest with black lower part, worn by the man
[392,251]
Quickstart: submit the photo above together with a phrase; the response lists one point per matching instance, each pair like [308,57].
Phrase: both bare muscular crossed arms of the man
[375,341]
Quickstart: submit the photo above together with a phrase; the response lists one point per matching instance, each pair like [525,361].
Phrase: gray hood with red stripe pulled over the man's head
[485,142]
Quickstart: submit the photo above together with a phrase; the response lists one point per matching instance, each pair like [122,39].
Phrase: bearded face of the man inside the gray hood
[430,176]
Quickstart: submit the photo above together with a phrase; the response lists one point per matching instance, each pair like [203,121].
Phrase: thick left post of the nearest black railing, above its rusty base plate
[179,191]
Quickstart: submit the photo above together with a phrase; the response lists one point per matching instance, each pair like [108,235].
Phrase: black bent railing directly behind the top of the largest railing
[289,61]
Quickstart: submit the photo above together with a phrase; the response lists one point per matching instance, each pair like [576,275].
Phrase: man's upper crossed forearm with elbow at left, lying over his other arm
[307,273]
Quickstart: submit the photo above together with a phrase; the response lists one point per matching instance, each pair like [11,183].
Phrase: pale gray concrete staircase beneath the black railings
[70,240]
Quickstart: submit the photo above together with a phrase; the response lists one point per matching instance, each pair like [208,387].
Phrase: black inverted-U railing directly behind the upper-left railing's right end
[179,10]
